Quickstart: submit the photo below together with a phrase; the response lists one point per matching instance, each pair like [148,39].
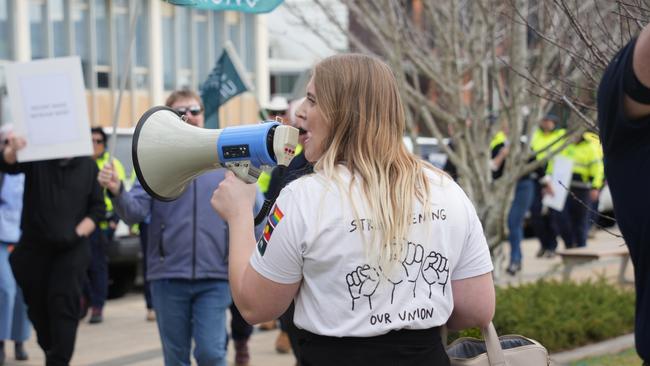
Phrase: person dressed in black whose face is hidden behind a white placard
[62,204]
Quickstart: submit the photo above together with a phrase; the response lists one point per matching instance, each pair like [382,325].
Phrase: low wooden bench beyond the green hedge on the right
[574,257]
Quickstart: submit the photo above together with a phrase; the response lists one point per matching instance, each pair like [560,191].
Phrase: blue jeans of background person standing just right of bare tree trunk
[524,193]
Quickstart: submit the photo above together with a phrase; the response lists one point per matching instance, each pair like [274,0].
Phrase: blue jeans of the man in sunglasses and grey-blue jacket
[192,309]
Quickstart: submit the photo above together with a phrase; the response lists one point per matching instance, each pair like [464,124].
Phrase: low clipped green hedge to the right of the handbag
[563,315]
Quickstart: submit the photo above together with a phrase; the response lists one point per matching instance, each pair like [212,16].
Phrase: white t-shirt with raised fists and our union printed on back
[312,235]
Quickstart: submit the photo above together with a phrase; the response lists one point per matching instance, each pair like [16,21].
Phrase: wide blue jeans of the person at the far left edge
[14,323]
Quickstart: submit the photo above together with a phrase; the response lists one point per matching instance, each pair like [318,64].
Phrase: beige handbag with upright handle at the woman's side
[508,350]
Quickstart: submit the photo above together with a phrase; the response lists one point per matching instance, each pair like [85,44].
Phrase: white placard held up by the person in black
[48,106]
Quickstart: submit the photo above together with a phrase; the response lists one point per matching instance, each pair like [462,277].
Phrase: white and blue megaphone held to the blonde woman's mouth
[169,153]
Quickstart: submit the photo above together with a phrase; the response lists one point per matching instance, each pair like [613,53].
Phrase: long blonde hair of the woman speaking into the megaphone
[359,99]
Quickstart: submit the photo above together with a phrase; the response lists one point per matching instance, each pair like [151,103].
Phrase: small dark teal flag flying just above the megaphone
[226,80]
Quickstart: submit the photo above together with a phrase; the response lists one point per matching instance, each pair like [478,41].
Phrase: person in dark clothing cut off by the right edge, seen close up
[624,121]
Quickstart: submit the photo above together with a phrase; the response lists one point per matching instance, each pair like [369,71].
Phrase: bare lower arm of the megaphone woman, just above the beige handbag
[474,302]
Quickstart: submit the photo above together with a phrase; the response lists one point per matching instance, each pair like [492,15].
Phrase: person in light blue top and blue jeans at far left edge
[14,323]
